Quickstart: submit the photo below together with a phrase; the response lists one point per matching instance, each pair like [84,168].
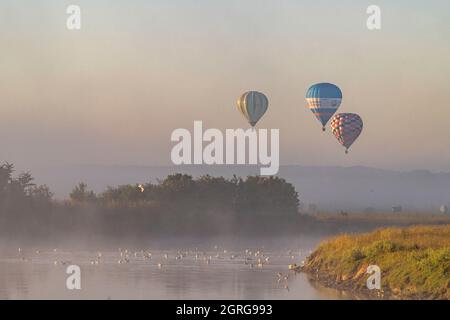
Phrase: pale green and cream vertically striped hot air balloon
[253,105]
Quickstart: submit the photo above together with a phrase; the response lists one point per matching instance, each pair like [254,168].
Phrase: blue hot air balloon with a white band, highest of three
[323,100]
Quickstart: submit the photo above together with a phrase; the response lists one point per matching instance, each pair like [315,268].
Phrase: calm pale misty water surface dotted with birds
[213,273]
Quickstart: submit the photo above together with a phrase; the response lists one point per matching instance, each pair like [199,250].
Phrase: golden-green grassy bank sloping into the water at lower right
[414,261]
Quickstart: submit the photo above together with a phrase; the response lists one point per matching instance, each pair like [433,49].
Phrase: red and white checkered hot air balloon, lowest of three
[346,127]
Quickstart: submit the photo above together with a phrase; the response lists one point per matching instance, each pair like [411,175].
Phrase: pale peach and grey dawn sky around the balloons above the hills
[113,92]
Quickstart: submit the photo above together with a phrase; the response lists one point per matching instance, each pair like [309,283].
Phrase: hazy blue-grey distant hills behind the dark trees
[330,188]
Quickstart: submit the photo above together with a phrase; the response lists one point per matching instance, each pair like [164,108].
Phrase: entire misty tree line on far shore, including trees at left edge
[178,204]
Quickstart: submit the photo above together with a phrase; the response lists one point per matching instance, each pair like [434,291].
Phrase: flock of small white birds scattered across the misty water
[251,258]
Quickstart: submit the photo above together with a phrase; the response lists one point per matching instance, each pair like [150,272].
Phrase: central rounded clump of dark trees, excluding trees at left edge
[252,195]
